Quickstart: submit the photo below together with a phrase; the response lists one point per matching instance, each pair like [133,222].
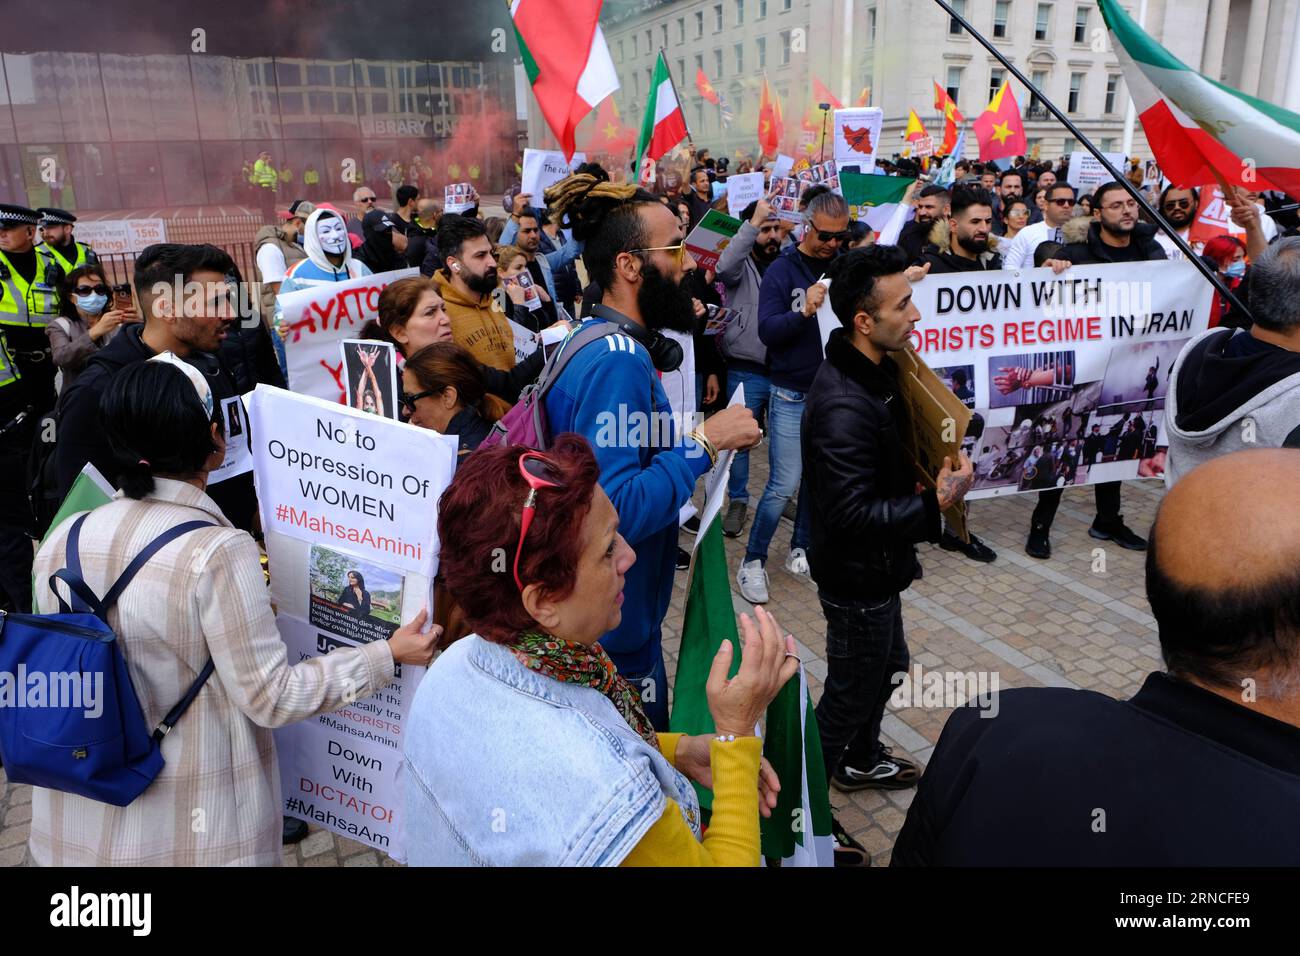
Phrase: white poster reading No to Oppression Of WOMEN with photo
[349,505]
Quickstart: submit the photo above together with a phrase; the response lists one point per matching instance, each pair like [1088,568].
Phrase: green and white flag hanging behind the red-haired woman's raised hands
[799,832]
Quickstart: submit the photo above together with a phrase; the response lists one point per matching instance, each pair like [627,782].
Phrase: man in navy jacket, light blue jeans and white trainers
[787,323]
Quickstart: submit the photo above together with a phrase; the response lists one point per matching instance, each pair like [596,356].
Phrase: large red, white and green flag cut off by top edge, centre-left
[566,59]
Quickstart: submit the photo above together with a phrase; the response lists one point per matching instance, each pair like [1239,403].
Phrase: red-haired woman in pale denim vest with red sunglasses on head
[525,746]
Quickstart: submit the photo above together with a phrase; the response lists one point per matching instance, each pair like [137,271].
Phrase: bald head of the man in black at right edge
[1224,572]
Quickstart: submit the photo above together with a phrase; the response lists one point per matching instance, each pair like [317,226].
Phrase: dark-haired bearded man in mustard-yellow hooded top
[467,283]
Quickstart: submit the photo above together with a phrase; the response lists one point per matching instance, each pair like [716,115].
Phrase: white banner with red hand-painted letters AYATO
[318,319]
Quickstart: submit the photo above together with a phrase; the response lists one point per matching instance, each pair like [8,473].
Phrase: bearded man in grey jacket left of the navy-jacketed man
[740,270]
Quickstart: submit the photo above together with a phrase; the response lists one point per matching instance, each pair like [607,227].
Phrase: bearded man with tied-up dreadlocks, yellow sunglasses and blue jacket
[610,393]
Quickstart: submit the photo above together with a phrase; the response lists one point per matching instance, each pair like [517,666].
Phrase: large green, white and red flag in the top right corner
[1201,131]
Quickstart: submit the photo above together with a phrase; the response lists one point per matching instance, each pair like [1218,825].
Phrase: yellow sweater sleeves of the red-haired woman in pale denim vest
[733,836]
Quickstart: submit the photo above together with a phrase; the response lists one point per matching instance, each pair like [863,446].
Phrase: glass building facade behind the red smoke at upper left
[137,132]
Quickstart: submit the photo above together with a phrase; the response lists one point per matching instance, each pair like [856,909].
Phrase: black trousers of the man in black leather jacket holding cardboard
[865,647]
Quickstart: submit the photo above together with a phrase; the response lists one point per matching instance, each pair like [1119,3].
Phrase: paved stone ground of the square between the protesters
[1080,620]
